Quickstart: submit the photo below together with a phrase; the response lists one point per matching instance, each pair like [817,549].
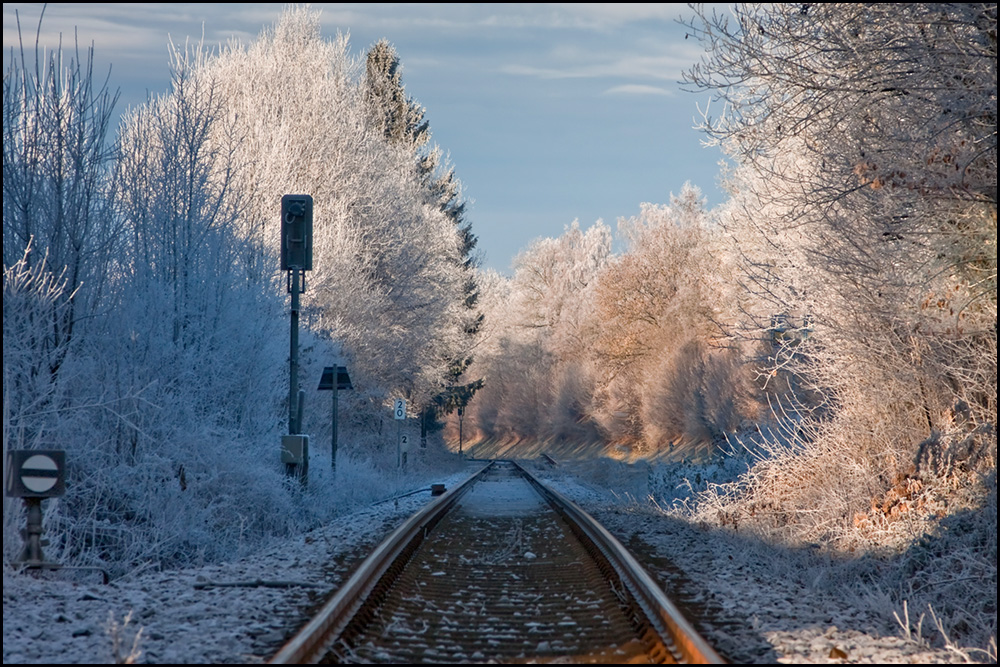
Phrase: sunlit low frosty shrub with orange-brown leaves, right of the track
[851,483]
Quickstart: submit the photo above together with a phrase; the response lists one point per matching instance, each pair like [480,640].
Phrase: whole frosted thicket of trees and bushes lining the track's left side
[151,344]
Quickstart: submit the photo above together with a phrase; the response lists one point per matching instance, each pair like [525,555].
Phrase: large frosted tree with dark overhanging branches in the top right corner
[865,192]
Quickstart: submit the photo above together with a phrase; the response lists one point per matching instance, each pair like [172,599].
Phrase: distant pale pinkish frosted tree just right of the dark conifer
[539,328]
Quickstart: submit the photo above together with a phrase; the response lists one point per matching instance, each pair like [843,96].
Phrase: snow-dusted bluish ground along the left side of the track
[185,616]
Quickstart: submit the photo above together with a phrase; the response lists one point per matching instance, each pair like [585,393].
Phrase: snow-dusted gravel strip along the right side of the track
[749,601]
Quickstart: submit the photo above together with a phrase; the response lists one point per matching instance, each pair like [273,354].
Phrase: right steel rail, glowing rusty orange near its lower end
[667,620]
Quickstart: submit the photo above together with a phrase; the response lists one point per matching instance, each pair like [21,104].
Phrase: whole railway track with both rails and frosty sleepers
[499,569]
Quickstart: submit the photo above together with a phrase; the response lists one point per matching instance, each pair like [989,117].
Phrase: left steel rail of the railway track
[312,642]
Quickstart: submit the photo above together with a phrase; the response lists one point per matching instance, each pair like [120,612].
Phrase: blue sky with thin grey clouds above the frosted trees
[550,113]
